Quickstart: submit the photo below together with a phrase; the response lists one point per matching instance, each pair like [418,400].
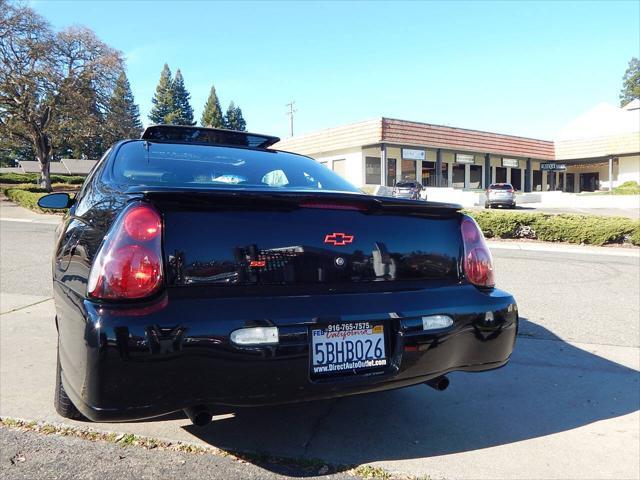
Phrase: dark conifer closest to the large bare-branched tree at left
[123,116]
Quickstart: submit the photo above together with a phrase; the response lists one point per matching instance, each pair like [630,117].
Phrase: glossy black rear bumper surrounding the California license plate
[138,366]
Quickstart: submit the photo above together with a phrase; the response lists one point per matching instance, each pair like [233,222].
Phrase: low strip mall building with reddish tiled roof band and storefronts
[599,150]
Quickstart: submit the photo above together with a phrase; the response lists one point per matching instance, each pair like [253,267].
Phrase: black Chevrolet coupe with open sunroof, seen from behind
[198,268]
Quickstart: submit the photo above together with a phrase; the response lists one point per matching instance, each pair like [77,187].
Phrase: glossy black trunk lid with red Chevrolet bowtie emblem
[222,239]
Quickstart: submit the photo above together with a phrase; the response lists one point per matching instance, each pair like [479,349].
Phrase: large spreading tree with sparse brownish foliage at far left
[43,78]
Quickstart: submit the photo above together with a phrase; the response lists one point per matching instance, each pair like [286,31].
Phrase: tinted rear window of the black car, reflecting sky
[200,166]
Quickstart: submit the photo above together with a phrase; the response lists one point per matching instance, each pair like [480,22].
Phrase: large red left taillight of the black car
[129,264]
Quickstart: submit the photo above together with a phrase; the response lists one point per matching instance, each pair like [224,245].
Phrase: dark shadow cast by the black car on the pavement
[548,387]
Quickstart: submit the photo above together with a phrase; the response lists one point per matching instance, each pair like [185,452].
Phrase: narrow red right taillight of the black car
[478,264]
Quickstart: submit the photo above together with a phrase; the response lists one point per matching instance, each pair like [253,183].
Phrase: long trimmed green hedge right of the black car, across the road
[571,228]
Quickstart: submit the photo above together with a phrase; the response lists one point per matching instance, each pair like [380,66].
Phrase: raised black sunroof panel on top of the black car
[207,136]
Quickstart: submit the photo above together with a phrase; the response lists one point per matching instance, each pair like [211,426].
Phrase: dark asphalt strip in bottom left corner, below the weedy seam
[27,455]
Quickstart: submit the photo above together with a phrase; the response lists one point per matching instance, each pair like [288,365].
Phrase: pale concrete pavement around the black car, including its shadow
[565,407]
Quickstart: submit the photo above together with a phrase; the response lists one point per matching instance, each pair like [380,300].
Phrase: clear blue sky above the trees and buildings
[525,68]
